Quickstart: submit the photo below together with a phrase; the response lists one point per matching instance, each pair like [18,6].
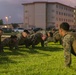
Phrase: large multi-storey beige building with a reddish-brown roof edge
[47,14]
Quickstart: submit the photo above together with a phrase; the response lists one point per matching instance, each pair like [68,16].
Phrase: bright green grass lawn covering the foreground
[38,61]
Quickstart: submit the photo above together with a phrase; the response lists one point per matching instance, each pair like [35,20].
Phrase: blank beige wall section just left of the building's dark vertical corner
[40,15]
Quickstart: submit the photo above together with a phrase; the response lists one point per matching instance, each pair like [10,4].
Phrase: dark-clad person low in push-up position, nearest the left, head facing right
[11,42]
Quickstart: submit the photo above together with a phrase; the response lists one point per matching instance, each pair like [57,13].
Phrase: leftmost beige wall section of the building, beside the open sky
[29,15]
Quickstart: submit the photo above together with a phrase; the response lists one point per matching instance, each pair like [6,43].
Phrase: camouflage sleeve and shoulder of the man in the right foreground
[67,44]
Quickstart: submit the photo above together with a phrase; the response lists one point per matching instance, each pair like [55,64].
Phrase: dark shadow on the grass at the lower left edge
[4,57]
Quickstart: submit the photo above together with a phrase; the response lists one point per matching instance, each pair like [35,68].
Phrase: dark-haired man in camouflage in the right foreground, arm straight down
[67,42]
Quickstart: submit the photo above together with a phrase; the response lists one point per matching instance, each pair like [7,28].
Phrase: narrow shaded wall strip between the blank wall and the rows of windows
[50,15]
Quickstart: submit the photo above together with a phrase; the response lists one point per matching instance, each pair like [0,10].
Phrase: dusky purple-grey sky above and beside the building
[14,8]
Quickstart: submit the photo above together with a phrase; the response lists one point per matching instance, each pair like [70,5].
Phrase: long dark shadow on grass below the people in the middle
[37,48]
